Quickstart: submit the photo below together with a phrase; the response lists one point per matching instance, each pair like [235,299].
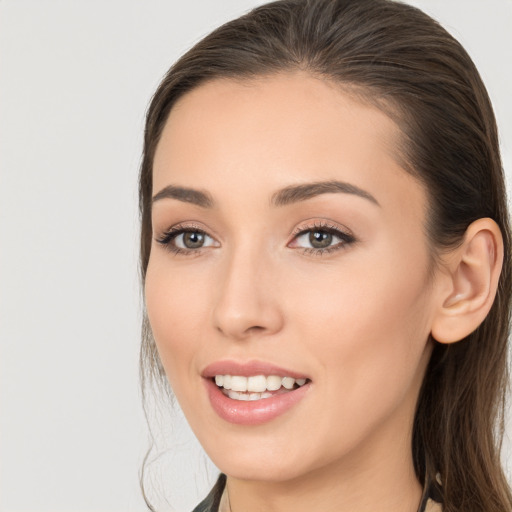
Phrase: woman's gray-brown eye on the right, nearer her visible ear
[321,238]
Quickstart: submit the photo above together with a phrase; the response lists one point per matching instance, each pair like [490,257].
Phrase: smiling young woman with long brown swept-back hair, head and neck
[326,260]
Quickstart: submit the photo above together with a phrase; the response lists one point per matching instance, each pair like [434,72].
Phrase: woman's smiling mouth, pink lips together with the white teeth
[252,393]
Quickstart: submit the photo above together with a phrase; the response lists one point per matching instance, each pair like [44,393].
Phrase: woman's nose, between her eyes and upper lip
[247,302]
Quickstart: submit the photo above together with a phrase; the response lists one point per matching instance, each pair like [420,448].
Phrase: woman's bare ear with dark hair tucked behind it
[469,283]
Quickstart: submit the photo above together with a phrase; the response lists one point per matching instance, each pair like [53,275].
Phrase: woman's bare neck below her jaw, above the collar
[379,476]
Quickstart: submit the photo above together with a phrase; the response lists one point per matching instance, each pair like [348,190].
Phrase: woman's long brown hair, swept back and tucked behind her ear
[406,64]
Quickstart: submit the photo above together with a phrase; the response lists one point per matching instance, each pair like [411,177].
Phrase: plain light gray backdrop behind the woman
[75,79]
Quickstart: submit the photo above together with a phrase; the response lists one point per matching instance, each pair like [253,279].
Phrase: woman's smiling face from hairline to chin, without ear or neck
[289,243]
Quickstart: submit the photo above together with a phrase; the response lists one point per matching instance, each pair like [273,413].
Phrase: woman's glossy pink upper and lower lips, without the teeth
[252,412]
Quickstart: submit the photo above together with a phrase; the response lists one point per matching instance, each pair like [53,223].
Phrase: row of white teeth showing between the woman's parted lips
[257,387]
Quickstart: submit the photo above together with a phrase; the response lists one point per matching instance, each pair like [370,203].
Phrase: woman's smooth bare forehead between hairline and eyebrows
[271,131]
